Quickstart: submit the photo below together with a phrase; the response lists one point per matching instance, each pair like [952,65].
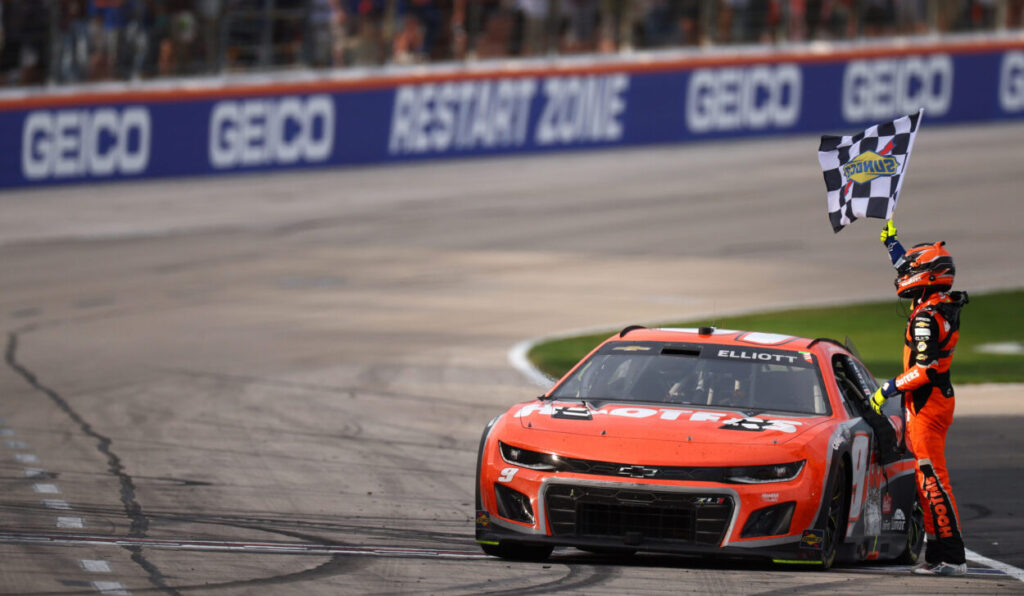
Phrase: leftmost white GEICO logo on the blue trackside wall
[98,143]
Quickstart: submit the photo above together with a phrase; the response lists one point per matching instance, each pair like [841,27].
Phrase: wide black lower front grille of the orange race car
[633,515]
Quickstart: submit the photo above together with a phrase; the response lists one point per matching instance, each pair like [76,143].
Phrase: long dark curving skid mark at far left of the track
[140,524]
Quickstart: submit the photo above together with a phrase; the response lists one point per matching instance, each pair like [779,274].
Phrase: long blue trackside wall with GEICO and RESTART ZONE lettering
[51,142]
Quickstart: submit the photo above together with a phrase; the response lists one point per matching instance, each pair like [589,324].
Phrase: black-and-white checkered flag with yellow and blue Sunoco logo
[865,173]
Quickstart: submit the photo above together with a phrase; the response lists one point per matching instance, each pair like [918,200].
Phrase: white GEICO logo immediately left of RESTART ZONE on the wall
[271,132]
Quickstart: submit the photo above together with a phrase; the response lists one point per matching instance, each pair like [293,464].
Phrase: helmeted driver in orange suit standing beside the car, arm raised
[925,274]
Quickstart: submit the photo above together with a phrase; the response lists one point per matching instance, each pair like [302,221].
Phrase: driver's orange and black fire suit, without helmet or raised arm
[932,333]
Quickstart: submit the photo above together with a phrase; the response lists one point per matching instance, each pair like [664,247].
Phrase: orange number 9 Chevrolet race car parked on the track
[703,442]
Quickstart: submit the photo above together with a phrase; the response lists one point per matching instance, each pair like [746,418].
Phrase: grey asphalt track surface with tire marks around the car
[276,385]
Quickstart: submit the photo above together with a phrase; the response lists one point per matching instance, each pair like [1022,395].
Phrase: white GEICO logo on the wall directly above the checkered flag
[877,90]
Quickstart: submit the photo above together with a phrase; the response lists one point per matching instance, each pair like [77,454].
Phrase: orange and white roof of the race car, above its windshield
[723,337]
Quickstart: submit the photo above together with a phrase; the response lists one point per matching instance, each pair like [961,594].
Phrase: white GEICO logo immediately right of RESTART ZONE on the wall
[744,99]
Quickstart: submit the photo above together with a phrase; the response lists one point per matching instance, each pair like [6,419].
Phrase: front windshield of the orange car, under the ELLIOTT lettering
[752,379]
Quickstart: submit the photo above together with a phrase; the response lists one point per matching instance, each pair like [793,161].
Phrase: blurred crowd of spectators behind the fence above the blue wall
[71,41]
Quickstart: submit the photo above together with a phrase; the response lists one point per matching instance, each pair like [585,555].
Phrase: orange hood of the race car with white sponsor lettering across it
[695,425]
